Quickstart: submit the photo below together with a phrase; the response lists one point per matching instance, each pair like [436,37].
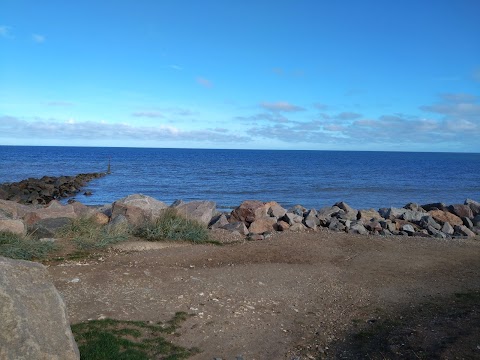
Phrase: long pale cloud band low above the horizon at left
[88,130]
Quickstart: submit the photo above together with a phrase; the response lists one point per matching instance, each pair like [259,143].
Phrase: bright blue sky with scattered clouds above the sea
[241,74]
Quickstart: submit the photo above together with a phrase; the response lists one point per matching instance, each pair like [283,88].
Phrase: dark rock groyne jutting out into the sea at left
[48,188]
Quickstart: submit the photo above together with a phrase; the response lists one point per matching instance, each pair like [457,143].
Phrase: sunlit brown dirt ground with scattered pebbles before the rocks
[263,300]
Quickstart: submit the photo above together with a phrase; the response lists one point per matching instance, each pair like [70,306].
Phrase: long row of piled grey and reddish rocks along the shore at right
[257,219]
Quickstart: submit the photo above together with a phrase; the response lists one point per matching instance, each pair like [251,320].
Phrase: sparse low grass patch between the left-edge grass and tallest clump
[86,234]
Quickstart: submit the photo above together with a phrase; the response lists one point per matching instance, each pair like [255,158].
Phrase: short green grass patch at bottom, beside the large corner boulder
[110,339]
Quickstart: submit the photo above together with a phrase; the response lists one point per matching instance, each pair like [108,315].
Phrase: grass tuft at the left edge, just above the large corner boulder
[23,247]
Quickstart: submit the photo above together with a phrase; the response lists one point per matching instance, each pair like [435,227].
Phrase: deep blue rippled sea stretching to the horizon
[311,178]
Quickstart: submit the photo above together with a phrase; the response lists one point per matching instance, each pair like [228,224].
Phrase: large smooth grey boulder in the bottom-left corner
[34,321]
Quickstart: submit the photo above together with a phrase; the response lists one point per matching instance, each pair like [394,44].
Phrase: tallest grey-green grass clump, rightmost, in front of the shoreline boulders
[172,226]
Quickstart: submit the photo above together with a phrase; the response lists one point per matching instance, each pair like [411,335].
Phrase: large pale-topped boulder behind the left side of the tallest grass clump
[138,208]
